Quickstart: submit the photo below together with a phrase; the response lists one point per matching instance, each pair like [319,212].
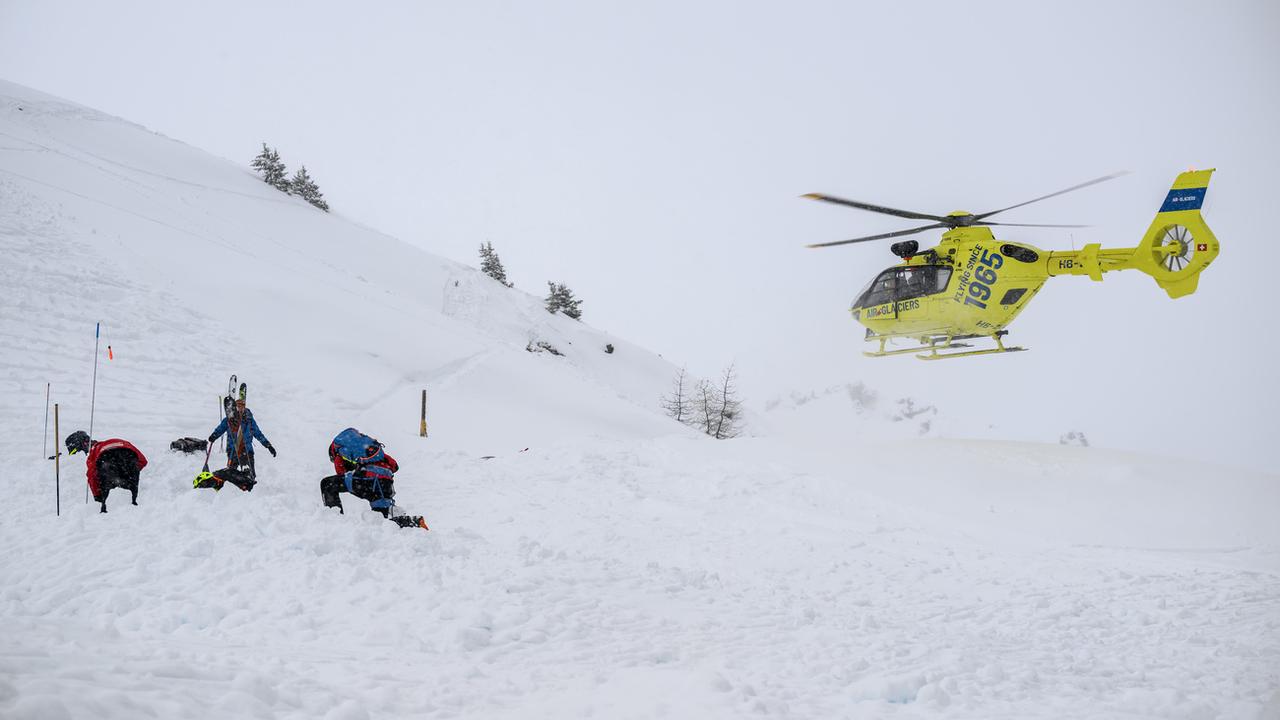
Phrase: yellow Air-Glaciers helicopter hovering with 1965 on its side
[973,285]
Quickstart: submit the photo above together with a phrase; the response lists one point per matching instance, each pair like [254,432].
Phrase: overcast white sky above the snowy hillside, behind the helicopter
[651,156]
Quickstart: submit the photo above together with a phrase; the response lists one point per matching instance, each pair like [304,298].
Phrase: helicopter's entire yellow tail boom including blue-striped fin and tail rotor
[1174,252]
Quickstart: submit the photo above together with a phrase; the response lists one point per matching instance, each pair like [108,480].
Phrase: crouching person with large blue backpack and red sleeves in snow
[367,472]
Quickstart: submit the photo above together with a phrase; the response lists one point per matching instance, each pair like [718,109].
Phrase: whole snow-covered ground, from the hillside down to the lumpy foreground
[834,566]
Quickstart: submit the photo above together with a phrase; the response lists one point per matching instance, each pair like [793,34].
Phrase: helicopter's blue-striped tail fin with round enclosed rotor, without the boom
[1180,245]
